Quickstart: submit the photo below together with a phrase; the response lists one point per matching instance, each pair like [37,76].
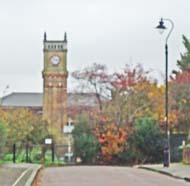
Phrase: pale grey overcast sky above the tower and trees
[111,32]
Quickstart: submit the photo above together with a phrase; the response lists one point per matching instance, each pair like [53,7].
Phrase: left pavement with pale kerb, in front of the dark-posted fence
[18,174]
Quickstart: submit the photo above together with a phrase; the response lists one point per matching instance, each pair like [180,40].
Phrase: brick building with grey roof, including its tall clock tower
[54,104]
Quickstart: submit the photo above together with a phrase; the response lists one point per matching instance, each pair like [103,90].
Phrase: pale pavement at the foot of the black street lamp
[176,170]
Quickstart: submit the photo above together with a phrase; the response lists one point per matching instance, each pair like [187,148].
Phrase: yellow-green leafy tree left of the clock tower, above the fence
[23,125]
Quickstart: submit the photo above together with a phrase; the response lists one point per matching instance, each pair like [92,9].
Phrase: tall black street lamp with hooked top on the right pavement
[161,27]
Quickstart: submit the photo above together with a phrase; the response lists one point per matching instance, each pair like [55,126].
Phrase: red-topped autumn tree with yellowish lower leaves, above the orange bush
[130,95]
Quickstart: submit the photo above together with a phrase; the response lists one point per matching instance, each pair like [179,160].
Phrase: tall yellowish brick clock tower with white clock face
[55,82]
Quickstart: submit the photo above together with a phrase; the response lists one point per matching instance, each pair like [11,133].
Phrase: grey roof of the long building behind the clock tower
[26,99]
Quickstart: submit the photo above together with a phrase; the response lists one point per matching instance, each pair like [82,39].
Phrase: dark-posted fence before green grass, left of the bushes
[39,153]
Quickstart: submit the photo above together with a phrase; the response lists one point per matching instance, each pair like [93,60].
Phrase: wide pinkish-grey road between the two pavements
[105,176]
